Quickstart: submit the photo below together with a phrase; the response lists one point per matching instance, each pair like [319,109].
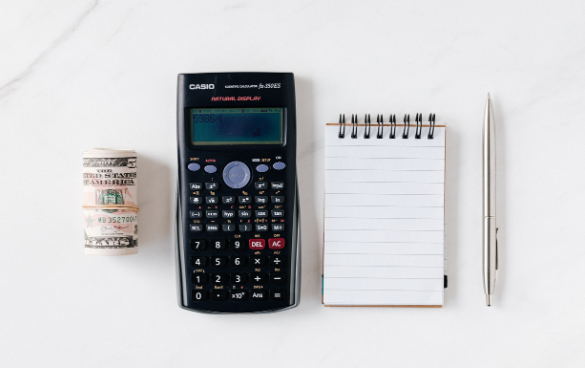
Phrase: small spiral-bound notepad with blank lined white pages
[384,213]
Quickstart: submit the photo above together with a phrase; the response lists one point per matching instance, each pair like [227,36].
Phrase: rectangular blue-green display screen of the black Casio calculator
[225,126]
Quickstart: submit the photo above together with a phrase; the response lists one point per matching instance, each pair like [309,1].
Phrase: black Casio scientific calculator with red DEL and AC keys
[238,227]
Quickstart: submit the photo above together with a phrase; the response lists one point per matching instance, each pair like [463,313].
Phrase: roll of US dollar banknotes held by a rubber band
[110,201]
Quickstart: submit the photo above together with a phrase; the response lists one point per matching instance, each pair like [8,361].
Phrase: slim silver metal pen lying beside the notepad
[490,242]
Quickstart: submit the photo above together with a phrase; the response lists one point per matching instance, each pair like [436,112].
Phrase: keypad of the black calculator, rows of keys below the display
[238,250]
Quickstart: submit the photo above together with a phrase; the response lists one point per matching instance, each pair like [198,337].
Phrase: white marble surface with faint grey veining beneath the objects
[81,74]
